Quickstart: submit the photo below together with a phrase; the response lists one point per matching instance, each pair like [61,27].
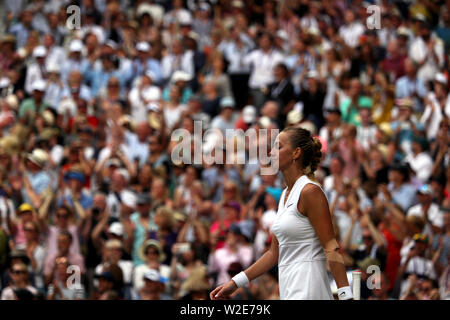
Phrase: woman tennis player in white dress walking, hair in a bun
[303,232]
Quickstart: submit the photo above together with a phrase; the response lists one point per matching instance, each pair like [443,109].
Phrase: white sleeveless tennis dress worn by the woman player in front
[302,271]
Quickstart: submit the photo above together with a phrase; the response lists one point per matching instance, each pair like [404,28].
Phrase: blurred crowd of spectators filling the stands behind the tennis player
[92,205]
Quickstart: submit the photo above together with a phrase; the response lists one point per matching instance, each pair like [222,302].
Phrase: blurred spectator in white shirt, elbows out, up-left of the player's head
[262,61]
